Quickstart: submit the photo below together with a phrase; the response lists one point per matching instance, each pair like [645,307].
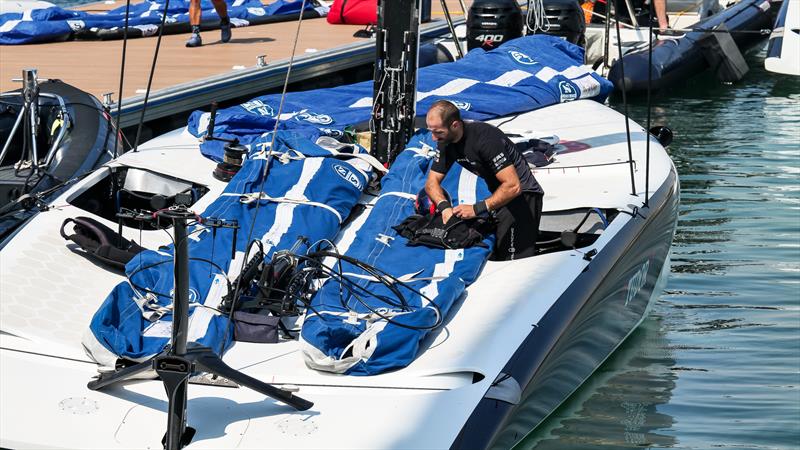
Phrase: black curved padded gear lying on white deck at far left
[100,242]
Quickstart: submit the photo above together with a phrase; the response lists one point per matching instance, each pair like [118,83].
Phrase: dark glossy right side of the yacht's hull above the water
[583,328]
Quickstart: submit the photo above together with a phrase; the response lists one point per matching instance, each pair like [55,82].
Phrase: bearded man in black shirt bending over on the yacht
[484,150]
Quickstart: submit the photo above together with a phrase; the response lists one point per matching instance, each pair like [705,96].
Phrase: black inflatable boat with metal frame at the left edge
[73,136]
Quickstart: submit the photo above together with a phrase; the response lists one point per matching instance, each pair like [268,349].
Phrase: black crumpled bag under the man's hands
[431,231]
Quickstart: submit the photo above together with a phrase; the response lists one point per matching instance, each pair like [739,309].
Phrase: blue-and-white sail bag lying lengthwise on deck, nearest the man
[341,333]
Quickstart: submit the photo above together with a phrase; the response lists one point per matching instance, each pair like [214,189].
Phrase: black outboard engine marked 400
[493,22]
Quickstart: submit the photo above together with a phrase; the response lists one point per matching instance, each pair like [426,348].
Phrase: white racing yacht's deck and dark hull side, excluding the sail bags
[533,327]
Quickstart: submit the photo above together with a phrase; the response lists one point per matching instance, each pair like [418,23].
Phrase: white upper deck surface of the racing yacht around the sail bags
[49,295]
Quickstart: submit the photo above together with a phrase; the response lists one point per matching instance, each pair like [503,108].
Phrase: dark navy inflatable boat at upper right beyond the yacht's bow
[716,43]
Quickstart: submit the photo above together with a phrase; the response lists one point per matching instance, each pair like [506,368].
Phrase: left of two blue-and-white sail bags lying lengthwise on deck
[309,193]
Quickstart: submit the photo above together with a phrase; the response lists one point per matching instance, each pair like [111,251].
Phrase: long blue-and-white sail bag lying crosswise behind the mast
[521,75]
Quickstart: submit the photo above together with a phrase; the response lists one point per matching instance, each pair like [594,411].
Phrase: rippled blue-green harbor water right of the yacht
[717,363]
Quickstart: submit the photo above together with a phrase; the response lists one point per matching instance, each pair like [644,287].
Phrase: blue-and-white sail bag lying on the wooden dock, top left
[59,24]
